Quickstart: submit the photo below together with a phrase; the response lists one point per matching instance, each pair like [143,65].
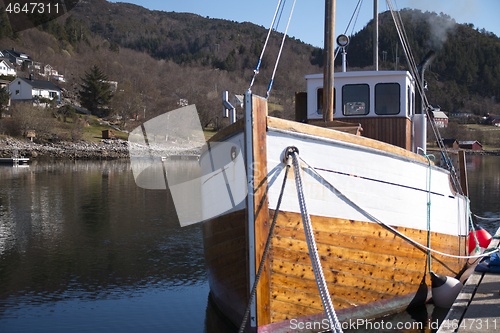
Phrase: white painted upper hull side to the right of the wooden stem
[391,187]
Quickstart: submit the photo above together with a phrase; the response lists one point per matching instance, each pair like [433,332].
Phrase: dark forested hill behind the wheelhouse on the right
[465,74]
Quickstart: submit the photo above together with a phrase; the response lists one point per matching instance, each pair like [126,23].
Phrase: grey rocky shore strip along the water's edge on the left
[106,149]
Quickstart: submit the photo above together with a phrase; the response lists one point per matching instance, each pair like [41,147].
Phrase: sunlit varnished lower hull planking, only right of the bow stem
[363,263]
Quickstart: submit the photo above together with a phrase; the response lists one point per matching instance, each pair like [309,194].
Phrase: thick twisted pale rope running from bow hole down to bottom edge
[313,250]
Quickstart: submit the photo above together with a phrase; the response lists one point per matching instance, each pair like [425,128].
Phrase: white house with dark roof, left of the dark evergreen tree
[28,89]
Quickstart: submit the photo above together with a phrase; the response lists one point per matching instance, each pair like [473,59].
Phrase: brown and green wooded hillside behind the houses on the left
[161,58]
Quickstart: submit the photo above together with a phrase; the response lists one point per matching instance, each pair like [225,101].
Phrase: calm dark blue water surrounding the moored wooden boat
[82,249]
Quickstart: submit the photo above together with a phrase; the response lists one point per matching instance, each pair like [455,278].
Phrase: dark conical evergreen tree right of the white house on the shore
[95,92]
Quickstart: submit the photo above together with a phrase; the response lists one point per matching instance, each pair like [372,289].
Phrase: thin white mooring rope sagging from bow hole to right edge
[388,227]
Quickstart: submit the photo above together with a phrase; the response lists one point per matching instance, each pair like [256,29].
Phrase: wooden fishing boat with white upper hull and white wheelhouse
[367,190]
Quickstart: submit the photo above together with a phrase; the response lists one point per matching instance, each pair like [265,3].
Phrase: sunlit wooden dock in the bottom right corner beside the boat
[477,307]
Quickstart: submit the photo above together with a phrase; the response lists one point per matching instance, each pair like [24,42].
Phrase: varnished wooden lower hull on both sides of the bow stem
[370,271]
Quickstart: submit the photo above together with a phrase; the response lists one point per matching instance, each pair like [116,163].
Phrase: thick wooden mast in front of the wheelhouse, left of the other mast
[328,67]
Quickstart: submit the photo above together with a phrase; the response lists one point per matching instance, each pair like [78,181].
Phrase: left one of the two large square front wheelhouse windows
[355,99]
